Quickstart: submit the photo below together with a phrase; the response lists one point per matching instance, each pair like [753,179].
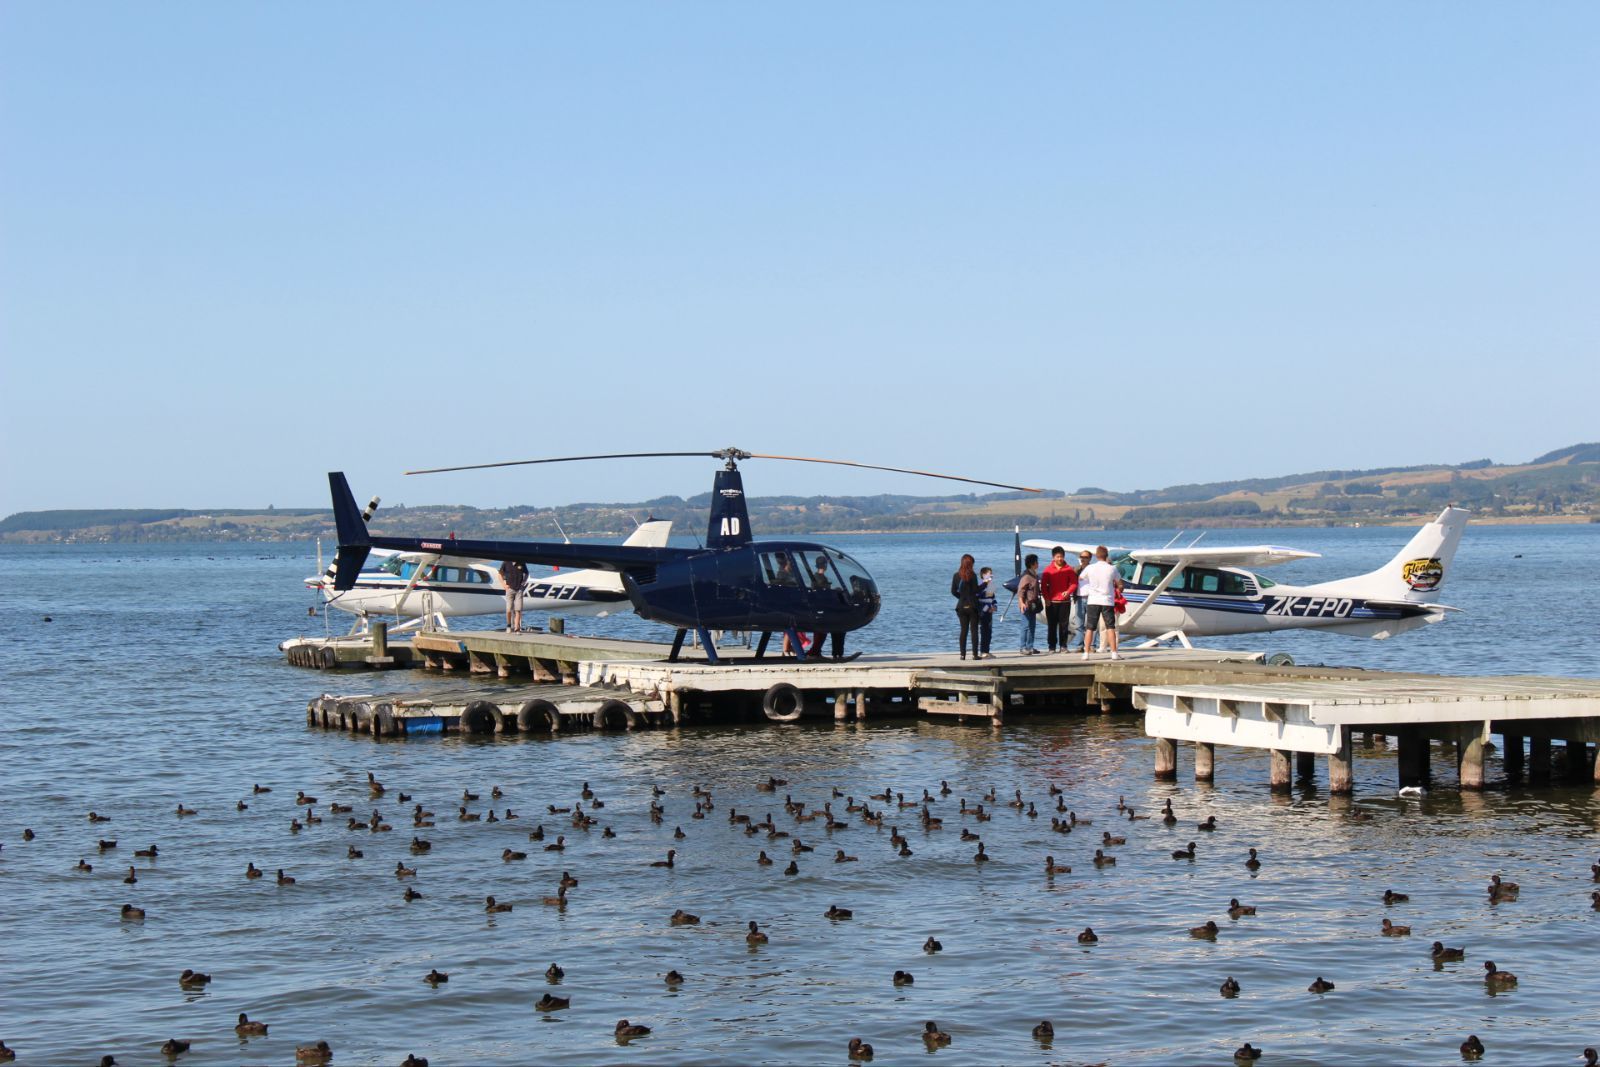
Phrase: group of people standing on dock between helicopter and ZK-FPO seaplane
[1079,599]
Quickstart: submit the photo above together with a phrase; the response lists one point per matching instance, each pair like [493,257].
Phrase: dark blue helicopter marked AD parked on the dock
[734,583]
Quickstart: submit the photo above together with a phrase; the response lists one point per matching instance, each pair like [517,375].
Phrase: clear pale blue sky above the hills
[1062,244]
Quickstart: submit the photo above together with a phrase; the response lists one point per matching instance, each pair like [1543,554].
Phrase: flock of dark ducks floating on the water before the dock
[886,809]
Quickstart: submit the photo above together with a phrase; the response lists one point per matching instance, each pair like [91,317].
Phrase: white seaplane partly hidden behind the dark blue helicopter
[430,588]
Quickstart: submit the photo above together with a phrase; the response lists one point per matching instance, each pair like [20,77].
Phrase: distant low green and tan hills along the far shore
[1562,486]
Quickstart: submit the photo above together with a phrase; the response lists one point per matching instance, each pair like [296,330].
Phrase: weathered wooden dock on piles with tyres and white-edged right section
[1295,714]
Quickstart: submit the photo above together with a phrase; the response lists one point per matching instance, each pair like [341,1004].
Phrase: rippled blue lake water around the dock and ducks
[159,684]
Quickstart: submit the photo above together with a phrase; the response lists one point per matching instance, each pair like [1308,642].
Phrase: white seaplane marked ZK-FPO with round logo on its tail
[1177,594]
